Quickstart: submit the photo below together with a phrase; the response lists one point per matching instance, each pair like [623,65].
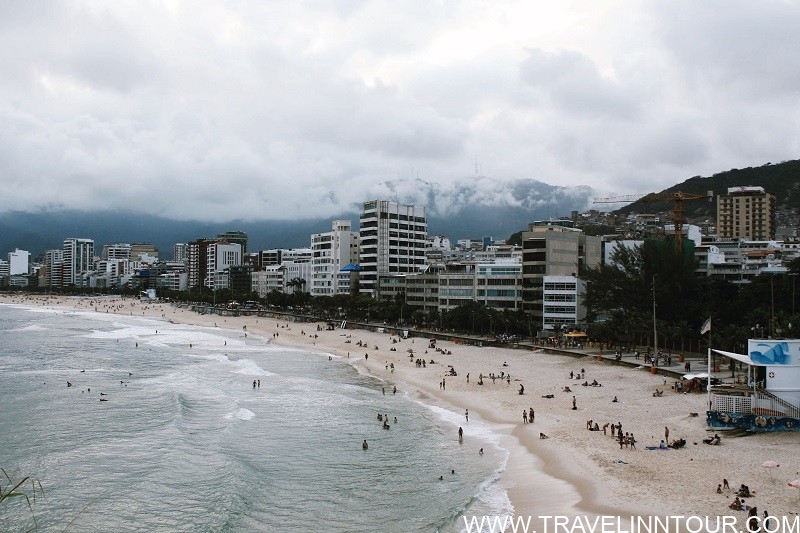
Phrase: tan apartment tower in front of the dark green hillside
[747,212]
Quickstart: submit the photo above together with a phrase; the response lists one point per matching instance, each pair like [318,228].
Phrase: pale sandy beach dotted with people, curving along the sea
[586,472]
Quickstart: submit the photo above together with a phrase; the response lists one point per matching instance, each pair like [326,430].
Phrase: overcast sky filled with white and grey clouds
[222,110]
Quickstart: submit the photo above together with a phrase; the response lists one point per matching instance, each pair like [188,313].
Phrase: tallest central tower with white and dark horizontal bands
[391,241]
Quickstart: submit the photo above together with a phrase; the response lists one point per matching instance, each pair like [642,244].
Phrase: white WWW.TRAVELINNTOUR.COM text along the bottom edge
[632,524]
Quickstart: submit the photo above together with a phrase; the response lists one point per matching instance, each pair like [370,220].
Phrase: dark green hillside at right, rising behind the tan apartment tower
[782,180]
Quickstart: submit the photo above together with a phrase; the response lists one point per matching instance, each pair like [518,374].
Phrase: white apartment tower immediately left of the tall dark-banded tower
[330,252]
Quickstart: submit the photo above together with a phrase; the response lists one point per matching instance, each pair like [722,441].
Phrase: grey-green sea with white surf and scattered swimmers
[183,442]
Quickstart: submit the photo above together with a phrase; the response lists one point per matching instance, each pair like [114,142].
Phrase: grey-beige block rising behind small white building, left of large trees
[553,251]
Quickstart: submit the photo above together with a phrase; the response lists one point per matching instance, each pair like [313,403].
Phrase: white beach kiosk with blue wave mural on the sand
[770,398]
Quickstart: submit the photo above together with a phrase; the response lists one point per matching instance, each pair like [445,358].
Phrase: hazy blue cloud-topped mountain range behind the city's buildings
[473,209]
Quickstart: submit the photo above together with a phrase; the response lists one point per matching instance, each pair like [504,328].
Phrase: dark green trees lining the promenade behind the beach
[619,299]
